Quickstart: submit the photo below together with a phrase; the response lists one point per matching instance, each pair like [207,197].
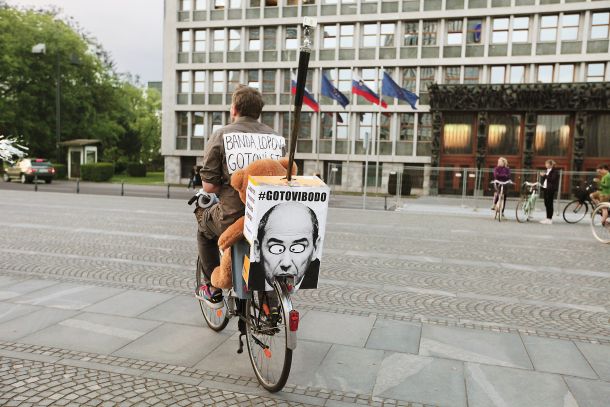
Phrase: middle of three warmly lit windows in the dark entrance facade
[504,134]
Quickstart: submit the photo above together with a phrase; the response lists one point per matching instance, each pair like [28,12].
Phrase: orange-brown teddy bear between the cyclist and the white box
[222,276]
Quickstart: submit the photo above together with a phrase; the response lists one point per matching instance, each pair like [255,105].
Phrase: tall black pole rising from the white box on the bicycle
[304,55]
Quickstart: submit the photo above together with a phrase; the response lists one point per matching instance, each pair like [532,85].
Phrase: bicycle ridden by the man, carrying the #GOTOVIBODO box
[265,318]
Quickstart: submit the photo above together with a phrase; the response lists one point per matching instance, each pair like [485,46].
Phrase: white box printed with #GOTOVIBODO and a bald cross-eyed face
[285,224]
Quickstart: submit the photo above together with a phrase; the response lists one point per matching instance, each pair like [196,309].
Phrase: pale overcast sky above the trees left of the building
[130,30]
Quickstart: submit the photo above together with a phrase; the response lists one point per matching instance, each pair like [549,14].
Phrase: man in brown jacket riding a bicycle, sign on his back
[247,140]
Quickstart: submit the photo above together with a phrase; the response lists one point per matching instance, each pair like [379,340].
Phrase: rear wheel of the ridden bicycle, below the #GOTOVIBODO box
[267,336]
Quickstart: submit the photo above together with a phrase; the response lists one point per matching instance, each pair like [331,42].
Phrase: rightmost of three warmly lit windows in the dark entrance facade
[552,135]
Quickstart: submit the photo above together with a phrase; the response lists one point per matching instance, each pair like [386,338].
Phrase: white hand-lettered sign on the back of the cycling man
[242,149]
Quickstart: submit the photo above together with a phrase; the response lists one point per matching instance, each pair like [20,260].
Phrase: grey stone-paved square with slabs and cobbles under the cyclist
[413,308]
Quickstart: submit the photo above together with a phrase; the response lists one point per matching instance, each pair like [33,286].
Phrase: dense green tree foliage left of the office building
[95,102]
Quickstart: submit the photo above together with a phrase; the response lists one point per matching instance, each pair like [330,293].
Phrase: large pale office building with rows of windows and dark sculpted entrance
[476,51]
